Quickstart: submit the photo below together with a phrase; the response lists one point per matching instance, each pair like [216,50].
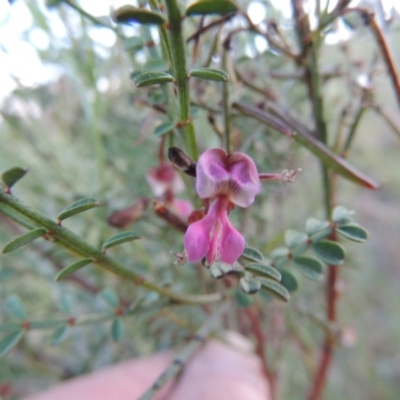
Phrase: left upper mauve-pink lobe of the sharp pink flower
[211,172]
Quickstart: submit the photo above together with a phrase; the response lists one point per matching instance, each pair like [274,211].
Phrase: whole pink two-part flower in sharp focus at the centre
[224,180]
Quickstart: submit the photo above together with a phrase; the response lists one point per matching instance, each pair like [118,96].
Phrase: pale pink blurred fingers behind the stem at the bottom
[217,371]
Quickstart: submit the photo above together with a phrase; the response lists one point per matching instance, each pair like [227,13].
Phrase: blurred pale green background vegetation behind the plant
[70,114]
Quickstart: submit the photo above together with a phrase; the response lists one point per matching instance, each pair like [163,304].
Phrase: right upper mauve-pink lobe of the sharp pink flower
[245,182]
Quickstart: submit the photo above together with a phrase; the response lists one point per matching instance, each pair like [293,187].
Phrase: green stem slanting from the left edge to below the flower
[73,242]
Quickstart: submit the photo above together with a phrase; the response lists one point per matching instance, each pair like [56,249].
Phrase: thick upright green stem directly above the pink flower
[178,53]
